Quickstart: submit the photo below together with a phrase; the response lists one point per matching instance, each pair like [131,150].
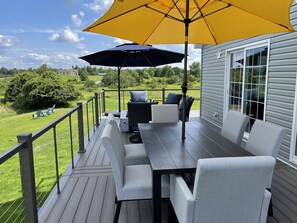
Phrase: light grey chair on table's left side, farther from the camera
[133,153]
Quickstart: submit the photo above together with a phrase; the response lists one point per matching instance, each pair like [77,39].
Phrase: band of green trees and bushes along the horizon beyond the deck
[43,87]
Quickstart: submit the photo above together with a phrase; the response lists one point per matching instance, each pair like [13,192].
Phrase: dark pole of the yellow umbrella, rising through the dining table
[185,80]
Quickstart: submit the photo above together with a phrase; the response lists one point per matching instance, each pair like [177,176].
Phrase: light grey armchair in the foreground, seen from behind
[225,190]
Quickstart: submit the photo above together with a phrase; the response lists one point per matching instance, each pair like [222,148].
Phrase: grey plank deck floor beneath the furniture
[88,192]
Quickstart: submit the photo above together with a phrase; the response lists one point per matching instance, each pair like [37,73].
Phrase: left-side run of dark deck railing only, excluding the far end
[25,205]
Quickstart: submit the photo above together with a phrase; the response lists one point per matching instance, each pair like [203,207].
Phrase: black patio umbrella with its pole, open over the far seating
[132,55]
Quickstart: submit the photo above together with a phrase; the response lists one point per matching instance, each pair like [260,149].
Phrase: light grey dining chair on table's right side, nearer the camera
[265,140]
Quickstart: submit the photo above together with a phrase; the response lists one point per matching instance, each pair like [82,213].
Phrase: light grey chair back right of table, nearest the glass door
[234,126]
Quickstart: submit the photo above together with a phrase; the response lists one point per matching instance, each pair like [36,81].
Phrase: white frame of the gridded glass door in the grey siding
[243,48]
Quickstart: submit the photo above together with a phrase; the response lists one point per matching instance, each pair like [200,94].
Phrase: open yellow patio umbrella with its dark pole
[192,21]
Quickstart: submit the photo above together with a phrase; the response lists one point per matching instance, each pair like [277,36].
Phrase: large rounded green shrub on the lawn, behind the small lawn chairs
[30,90]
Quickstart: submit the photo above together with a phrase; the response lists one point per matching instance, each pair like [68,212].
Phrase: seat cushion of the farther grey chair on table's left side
[135,154]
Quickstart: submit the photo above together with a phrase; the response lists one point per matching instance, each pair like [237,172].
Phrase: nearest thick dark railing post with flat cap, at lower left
[28,177]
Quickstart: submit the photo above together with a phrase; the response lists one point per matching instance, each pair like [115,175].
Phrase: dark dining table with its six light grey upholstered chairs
[231,183]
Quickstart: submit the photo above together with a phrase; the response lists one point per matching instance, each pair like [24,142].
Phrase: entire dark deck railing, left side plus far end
[35,175]
